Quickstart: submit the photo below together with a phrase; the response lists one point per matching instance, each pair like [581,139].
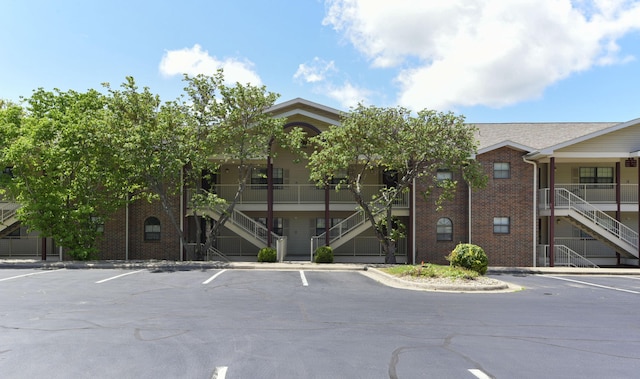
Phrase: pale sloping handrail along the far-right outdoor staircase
[565,199]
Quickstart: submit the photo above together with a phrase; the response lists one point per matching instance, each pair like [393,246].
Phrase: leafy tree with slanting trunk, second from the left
[154,144]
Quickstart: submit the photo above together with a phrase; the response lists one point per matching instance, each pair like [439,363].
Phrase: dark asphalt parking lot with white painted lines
[231,323]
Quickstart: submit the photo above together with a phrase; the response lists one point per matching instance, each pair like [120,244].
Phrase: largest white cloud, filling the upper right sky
[483,52]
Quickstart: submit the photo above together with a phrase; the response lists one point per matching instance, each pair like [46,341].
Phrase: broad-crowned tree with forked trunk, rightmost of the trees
[408,147]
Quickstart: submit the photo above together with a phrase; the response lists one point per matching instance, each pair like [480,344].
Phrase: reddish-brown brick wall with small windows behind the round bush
[511,198]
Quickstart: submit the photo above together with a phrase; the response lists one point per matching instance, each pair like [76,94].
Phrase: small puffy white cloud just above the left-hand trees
[194,61]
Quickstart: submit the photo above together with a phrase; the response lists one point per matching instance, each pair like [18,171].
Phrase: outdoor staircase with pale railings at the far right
[595,222]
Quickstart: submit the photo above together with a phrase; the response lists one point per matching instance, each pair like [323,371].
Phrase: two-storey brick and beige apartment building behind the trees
[557,194]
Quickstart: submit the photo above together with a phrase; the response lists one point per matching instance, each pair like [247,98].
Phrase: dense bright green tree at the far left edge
[61,152]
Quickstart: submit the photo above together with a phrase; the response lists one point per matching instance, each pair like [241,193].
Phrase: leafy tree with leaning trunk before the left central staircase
[234,125]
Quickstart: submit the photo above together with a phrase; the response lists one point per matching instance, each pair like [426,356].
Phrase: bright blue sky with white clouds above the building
[490,60]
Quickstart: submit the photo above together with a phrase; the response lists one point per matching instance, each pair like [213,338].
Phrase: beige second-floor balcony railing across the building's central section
[298,194]
